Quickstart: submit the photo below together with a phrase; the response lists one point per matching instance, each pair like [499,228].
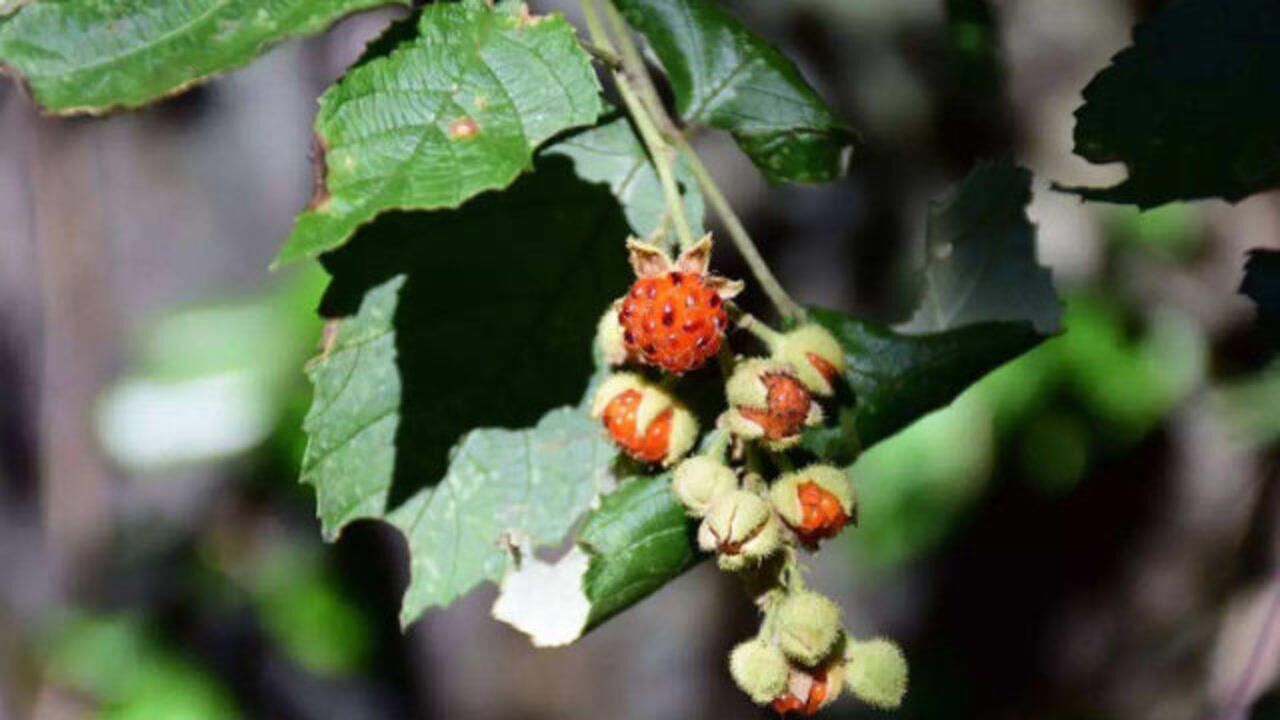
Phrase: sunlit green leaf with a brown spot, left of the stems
[440,120]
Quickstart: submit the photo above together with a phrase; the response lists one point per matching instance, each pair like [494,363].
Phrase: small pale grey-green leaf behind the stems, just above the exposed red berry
[612,154]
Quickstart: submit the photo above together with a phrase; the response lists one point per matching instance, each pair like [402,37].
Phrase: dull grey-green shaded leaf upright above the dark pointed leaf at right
[981,250]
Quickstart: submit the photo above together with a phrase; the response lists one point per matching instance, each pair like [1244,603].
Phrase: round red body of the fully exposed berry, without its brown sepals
[674,321]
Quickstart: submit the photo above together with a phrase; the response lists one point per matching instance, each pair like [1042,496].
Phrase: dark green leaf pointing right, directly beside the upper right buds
[897,379]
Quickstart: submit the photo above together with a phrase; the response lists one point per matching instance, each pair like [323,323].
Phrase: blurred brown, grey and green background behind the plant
[1090,534]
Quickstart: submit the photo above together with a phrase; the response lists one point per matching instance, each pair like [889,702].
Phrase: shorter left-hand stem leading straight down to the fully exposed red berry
[661,153]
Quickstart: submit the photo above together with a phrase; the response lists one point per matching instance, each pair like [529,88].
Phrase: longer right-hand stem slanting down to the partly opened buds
[634,67]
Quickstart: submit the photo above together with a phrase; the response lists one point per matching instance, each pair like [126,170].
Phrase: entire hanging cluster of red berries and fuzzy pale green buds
[675,318]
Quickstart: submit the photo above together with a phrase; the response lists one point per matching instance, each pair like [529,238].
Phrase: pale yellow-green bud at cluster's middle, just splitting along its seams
[740,528]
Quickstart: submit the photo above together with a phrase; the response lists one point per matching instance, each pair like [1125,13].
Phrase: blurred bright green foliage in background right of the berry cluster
[1091,393]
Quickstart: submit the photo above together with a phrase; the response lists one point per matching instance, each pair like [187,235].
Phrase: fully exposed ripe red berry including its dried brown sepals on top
[674,316]
